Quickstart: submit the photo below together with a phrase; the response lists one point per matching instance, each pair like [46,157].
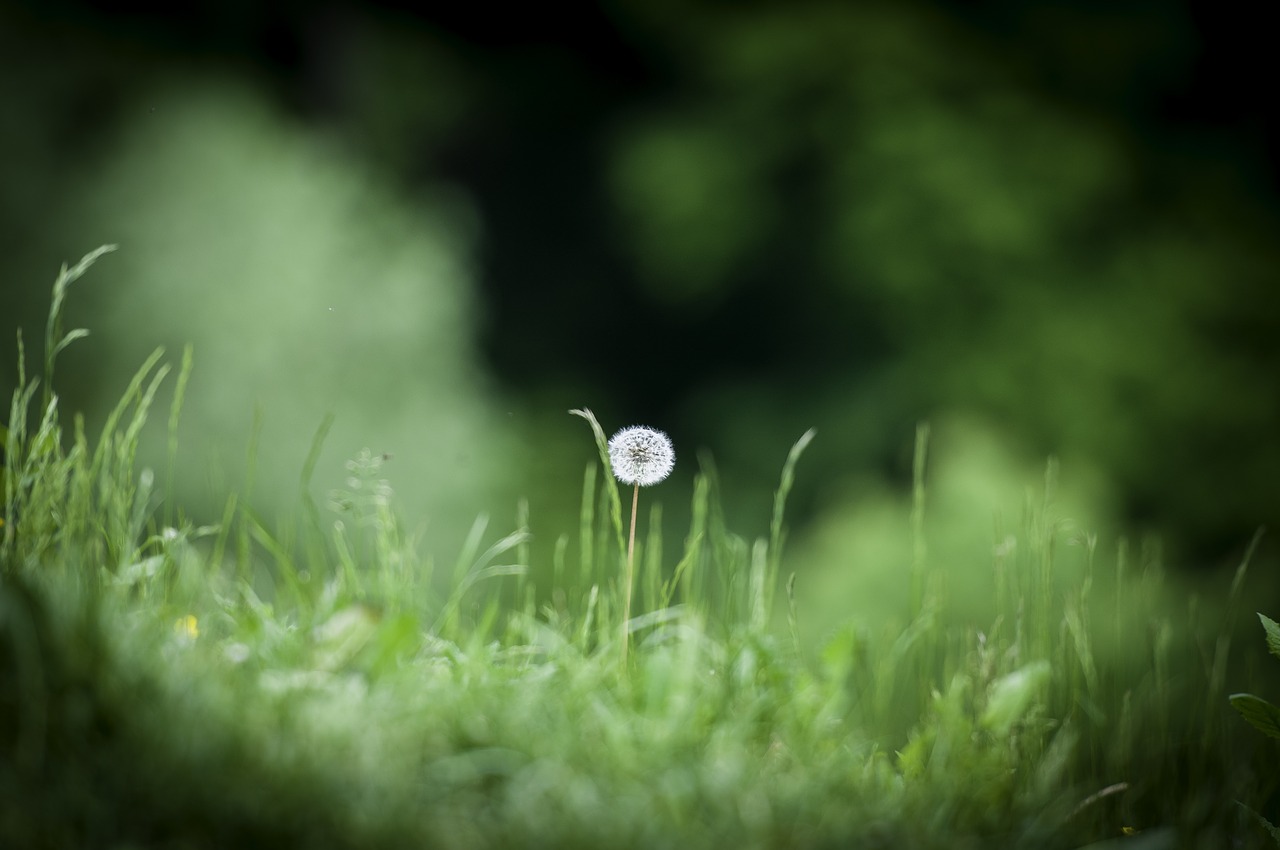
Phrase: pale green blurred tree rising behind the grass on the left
[307,286]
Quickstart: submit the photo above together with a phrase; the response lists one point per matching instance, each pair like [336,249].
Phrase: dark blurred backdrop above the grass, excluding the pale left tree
[1046,229]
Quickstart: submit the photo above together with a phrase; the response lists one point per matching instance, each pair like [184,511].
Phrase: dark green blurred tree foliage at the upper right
[922,232]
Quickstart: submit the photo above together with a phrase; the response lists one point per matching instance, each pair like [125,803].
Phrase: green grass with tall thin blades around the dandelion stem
[316,683]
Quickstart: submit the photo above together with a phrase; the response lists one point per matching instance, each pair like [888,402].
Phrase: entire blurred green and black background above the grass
[1044,229]
